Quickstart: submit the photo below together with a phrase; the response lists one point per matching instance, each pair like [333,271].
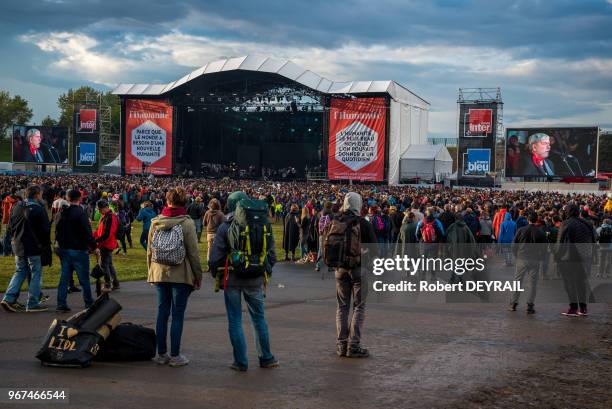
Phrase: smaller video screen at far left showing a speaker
[40,144]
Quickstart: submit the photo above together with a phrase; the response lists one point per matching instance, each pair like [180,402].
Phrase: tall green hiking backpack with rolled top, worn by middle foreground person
[249,235]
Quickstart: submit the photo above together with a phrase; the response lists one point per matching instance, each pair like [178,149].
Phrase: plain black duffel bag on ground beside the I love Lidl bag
[128,342]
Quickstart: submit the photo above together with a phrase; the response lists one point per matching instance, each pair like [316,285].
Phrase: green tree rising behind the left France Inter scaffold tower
[86,94]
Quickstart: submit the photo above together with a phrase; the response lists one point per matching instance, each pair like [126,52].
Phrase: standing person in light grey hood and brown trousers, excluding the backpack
[349,282]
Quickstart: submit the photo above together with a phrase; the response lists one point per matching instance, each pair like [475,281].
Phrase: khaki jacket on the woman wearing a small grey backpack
[187,272]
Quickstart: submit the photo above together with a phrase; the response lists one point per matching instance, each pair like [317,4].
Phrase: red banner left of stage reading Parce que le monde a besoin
[148,137]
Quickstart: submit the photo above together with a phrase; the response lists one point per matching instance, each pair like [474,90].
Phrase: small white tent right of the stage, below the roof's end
[426,162]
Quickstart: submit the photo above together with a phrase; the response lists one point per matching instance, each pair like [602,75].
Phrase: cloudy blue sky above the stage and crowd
[552,58]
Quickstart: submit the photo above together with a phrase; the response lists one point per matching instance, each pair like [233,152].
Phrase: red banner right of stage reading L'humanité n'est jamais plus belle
[357,139]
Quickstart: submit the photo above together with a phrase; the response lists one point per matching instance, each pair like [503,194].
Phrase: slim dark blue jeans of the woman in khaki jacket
[171,297]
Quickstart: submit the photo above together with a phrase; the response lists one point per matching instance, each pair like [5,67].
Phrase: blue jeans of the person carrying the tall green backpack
[255,303]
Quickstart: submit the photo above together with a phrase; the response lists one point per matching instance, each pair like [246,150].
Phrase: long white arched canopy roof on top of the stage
[286,69]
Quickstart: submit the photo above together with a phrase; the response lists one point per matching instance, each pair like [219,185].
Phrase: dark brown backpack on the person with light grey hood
[342,243]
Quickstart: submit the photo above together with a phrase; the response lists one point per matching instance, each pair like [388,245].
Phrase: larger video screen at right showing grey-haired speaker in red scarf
[551,152]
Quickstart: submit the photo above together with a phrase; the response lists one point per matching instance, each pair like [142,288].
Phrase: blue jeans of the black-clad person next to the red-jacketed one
[74,260]
